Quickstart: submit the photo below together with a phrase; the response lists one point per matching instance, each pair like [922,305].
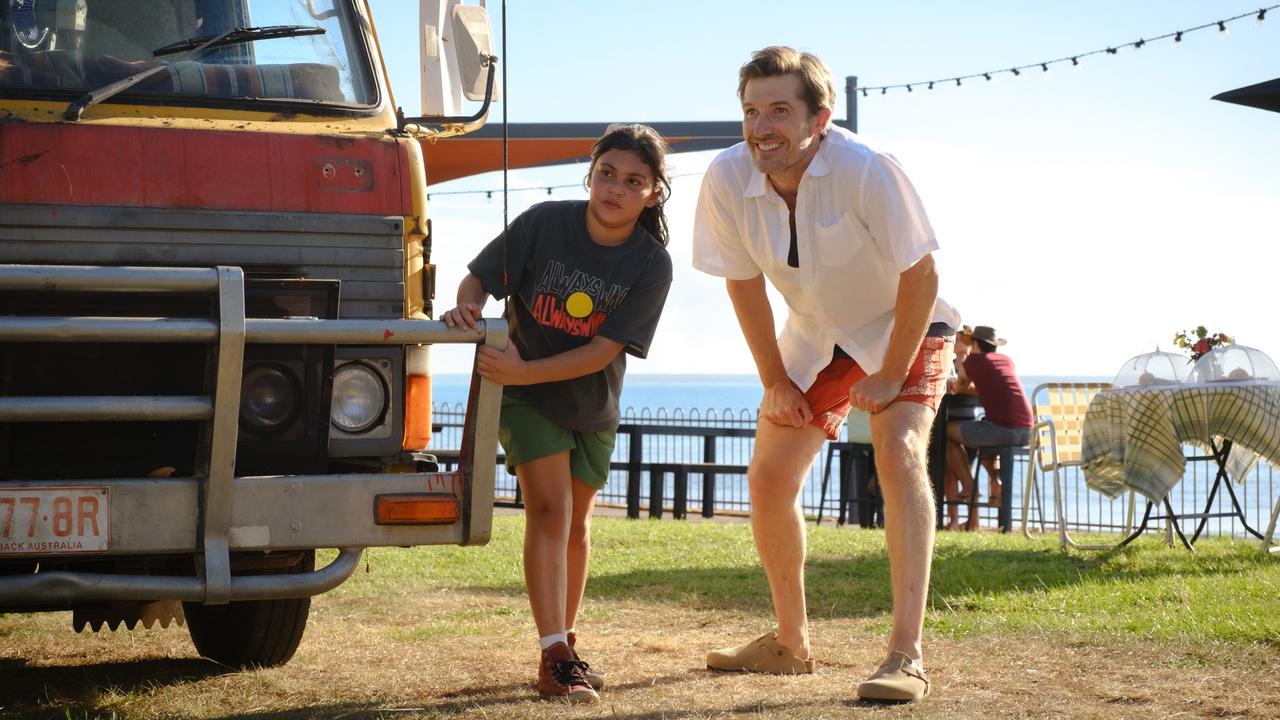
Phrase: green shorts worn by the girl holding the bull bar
[528,435]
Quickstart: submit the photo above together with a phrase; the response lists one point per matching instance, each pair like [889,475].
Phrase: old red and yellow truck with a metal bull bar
[216,311]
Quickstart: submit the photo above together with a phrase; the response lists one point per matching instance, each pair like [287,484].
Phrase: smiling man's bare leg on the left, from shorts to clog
[779,470]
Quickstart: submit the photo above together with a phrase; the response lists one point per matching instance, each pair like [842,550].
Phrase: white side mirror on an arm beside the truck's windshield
[458,51]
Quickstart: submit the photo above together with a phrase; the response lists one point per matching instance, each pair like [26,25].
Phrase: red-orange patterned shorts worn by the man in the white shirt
[926,385]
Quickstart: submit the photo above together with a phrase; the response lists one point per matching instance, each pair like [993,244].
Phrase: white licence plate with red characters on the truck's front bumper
[56,521]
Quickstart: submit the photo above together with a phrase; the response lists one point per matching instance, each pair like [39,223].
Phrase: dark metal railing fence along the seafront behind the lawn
[650,439]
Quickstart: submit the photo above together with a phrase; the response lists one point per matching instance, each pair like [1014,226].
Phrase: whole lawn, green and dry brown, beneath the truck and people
[1016,628]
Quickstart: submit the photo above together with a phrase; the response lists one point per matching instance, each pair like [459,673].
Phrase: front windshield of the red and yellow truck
[62,49]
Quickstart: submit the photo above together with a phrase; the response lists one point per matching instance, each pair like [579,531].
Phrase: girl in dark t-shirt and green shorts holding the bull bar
[586,284]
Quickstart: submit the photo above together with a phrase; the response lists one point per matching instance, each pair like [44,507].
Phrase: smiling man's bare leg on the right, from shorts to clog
[900,435]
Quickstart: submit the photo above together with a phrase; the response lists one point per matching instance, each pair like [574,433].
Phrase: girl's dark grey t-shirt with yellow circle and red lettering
[564,289]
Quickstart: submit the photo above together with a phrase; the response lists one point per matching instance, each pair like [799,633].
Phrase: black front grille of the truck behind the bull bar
[88,450]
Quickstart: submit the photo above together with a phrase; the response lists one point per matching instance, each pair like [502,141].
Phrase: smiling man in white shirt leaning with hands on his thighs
[840,233]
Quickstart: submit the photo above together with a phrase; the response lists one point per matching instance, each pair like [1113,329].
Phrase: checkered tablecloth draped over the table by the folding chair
[1133,439]
